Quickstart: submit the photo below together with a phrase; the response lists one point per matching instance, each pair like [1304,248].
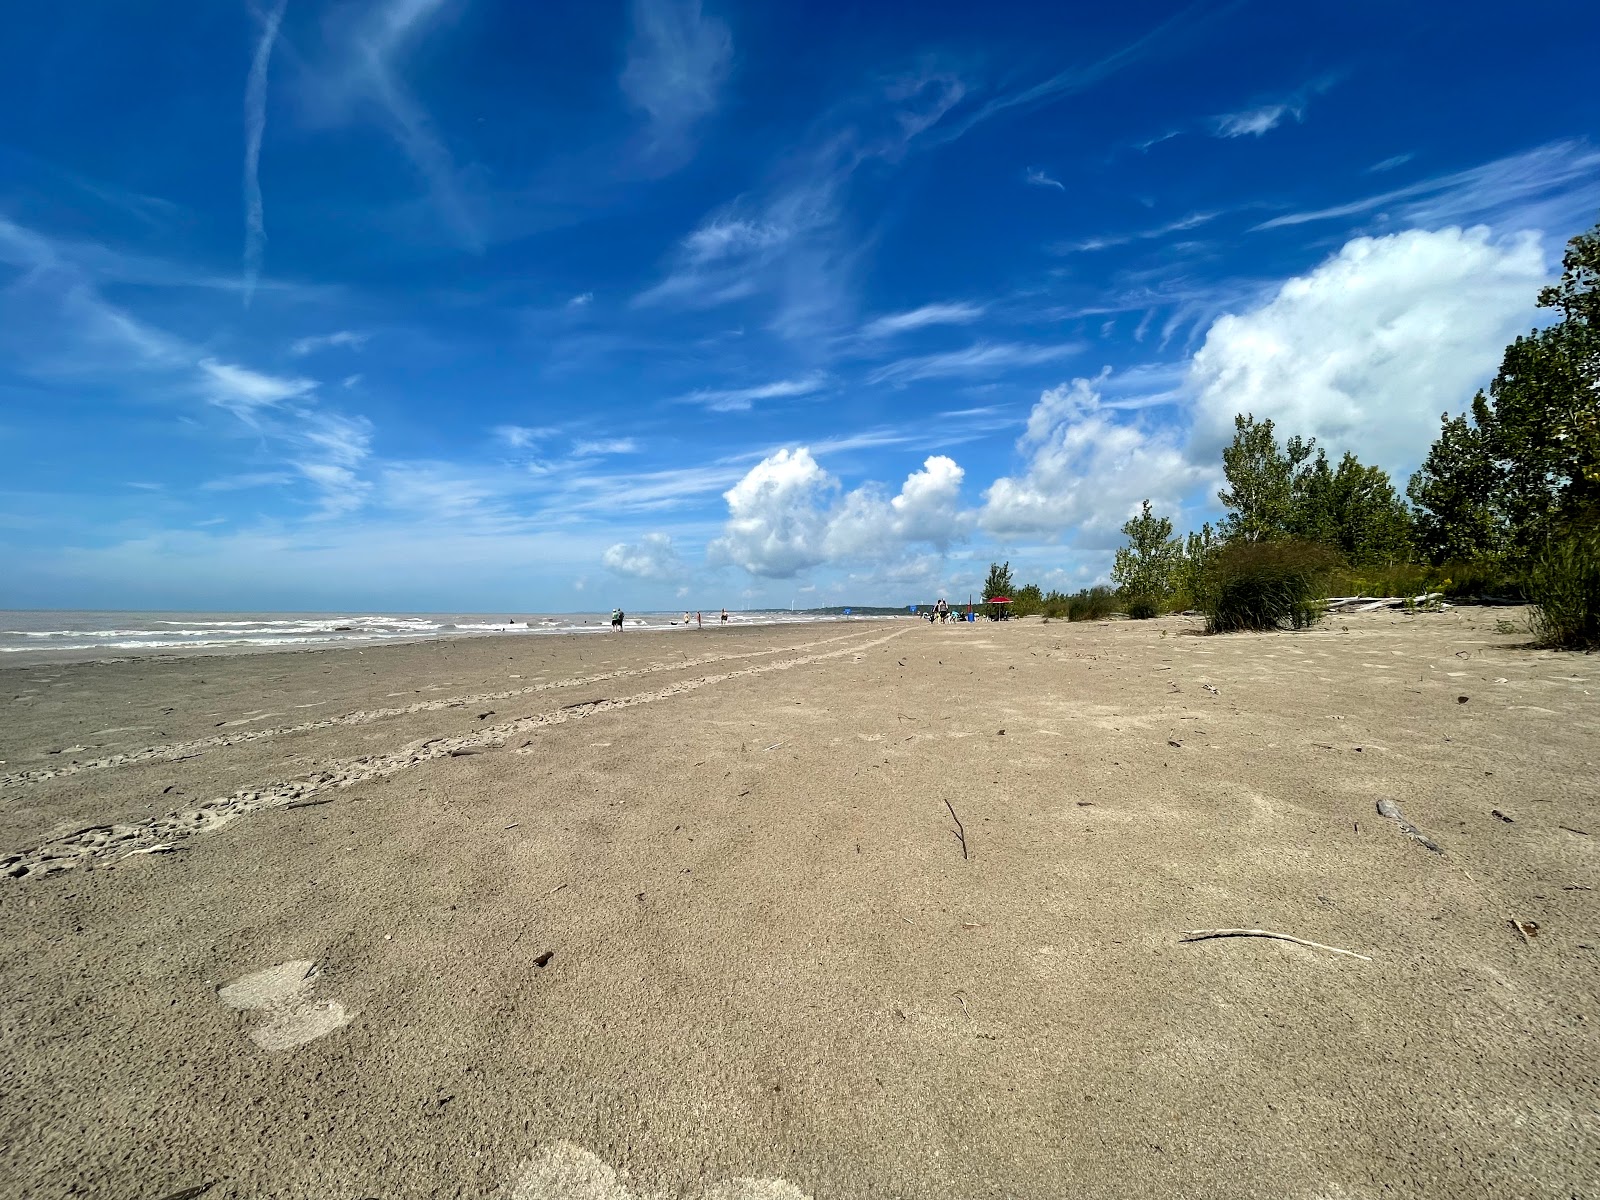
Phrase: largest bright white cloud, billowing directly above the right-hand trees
[1372,346]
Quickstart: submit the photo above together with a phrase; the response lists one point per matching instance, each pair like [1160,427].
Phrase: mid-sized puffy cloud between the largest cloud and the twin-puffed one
[1086,470]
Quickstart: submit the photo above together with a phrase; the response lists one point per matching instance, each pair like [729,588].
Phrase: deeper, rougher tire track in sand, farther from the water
[164,833]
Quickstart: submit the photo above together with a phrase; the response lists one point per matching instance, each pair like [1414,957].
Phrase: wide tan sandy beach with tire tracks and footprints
[687,916]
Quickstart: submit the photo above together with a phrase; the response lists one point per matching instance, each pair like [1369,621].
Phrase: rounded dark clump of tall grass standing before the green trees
[1265,586]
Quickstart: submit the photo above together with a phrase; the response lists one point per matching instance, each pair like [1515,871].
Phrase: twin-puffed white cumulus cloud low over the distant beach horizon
[788,516]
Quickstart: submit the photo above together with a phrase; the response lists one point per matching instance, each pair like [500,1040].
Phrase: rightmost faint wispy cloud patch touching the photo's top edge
[678,63]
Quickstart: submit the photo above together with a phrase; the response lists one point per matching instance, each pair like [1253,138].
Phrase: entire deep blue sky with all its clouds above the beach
[492,305]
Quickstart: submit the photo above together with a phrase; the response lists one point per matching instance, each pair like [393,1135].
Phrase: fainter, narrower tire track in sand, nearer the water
[178,751]
